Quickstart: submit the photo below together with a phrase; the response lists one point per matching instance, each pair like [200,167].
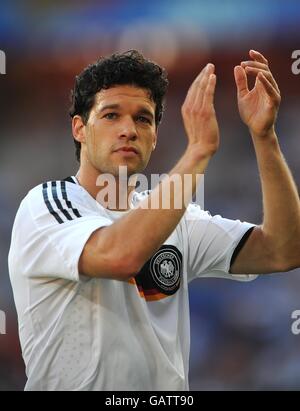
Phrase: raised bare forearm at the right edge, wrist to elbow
[281,206]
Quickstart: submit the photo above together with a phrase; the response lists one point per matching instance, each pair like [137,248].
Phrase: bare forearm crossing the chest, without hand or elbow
[141,232]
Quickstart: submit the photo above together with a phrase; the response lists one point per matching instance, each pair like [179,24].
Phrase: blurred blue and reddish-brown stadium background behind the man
[241,333]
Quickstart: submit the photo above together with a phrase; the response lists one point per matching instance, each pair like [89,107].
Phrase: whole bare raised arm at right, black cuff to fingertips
[273,246]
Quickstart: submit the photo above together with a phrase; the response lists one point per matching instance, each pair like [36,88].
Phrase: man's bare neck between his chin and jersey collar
[113,195]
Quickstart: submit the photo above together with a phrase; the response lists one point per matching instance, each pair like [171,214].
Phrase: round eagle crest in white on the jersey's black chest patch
[165,268]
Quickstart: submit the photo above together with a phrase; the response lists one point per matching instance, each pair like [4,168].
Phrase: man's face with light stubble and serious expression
[120,131]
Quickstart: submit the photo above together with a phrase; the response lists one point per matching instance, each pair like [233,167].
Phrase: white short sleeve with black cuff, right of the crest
[209,244]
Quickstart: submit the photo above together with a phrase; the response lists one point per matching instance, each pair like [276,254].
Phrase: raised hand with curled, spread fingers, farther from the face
[258,107]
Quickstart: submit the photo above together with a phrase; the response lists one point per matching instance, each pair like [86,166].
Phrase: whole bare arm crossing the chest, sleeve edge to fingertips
[121,249]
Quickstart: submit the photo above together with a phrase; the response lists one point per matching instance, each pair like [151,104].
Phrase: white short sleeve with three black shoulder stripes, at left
[51,228]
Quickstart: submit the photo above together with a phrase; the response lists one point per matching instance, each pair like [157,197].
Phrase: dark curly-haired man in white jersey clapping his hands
[101,294]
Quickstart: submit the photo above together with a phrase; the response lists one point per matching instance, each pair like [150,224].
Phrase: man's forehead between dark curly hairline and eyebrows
[124,94]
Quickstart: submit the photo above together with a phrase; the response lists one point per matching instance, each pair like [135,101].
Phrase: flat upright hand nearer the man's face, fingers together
[199,115]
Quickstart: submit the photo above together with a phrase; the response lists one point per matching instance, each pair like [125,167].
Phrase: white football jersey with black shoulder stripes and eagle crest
[81,333]
